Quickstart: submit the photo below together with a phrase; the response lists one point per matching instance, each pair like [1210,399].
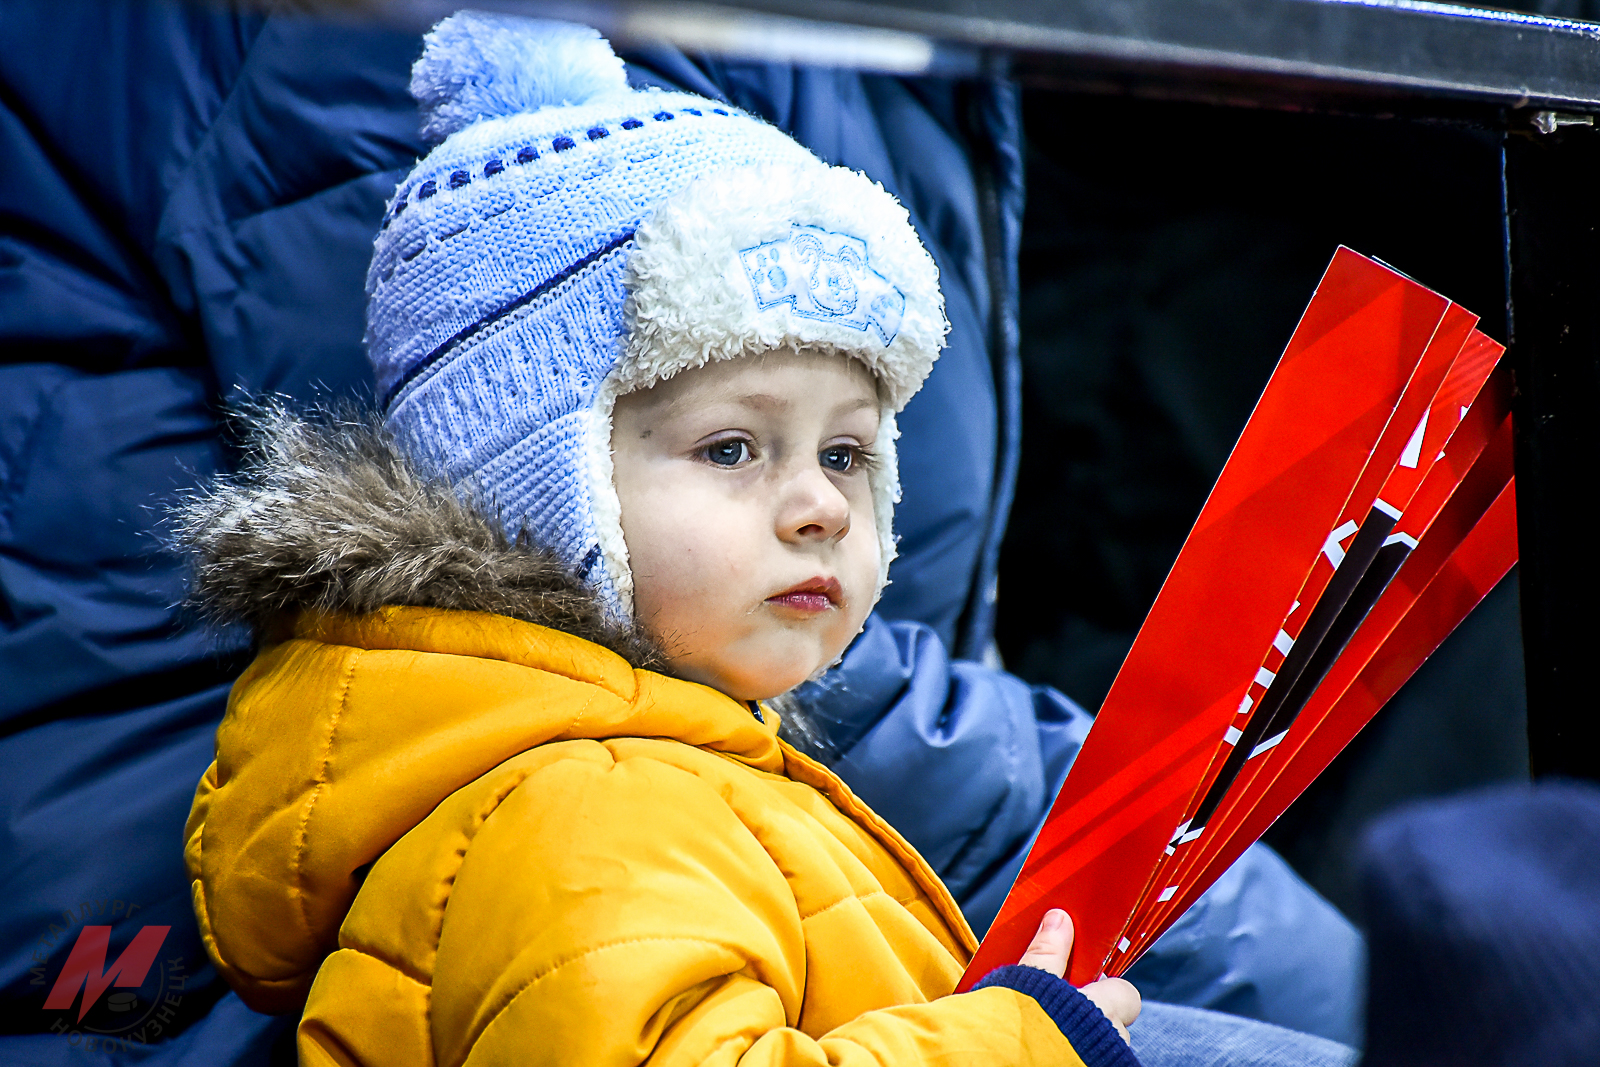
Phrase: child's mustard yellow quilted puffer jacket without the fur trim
[478,841]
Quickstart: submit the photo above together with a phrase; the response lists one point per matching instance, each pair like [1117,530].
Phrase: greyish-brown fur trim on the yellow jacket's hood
[327,514]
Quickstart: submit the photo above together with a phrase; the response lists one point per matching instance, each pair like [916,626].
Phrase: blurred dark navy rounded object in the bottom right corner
[1484,930]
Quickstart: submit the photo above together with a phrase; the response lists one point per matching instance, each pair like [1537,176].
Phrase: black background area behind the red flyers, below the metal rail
[1169,252]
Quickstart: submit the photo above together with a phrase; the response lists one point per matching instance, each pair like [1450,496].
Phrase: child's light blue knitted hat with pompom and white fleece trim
[572,241]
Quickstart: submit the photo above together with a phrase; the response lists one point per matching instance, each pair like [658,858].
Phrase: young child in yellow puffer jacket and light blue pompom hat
[500,786]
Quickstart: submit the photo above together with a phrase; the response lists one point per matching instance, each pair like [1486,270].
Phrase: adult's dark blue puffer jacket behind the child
[188,199]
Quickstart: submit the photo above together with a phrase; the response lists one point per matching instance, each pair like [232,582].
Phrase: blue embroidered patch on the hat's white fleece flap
[826,278]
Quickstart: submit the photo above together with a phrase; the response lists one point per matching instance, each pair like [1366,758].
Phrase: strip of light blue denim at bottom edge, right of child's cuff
[1170,1036]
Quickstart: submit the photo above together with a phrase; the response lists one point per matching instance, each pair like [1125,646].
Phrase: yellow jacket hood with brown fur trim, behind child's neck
[407,650]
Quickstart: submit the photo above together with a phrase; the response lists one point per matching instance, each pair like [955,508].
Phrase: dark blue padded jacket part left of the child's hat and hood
[188,214]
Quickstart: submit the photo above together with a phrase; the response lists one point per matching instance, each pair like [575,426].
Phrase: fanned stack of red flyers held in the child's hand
[1364,513]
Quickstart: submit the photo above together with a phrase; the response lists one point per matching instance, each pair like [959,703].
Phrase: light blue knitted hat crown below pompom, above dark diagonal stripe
[474,230]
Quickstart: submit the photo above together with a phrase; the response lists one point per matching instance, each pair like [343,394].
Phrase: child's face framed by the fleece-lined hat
[748,516]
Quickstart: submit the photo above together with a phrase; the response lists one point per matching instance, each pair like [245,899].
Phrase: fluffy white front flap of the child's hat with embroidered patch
[770,257]
